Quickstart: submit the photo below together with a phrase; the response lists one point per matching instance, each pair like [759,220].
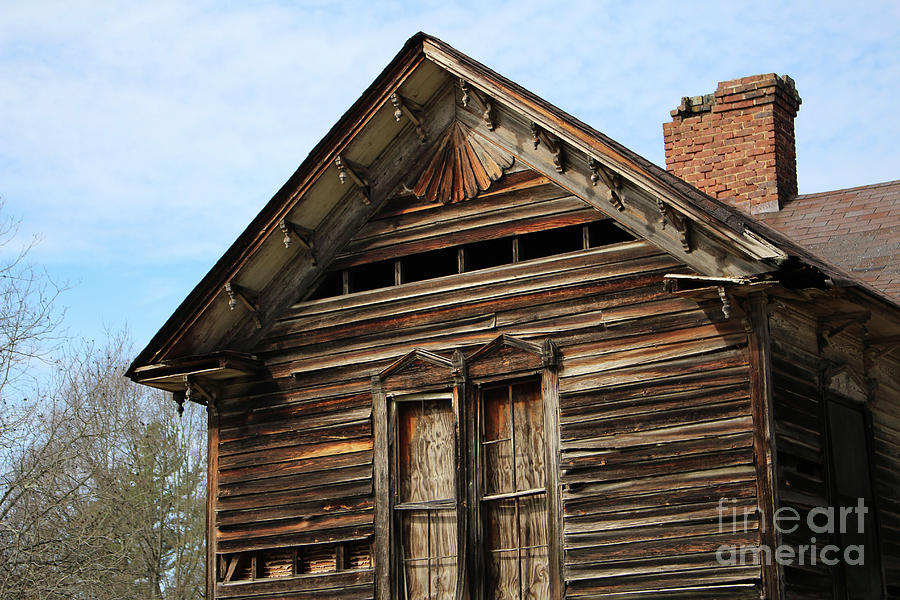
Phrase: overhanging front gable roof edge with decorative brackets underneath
[389,136]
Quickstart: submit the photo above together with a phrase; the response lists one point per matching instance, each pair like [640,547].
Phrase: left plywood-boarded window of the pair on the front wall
[425,497]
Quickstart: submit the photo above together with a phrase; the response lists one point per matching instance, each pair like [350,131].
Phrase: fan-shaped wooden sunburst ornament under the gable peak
[464,165]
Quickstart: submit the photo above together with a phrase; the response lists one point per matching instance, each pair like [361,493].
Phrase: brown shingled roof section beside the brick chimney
[857,229]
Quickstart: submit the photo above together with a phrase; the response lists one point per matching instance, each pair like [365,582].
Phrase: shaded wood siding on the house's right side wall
[801,358]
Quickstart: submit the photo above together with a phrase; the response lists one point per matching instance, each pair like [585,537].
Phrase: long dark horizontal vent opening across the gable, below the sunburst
[469,257]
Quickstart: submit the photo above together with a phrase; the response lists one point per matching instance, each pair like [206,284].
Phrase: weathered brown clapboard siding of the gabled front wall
[656,422]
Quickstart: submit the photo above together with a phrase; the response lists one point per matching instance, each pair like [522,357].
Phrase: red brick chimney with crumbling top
[737,144]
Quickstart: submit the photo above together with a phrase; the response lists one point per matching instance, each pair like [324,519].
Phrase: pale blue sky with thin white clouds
[137,140]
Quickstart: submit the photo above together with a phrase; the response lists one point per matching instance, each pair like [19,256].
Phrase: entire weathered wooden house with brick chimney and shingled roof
[475,349]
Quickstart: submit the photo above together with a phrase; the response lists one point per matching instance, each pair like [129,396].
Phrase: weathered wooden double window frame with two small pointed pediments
[504,360]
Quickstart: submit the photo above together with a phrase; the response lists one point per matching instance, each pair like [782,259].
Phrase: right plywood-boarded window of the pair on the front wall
[514,492]
